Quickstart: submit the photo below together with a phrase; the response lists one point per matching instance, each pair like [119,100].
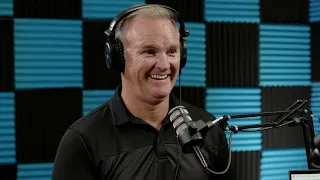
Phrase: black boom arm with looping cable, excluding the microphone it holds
[296,114]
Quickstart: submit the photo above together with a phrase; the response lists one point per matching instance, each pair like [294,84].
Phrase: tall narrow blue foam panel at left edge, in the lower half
[7,128]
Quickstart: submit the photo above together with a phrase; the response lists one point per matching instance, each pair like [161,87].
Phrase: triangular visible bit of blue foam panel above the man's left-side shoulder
[94,98]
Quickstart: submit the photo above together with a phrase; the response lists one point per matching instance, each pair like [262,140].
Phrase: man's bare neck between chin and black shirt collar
[152,113]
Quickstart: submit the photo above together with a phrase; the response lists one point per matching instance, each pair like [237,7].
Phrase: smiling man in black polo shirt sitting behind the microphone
[130,136]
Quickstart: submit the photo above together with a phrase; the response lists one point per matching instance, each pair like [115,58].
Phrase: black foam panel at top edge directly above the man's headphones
[184,8]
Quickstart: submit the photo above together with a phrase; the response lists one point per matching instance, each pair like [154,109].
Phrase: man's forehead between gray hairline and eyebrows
[140,29]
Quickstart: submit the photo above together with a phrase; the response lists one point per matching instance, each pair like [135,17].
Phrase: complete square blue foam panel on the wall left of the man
[48,53]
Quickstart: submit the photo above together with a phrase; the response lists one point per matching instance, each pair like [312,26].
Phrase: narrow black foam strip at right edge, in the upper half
[315,53]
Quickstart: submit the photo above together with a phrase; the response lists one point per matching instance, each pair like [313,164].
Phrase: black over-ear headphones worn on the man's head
[114,54]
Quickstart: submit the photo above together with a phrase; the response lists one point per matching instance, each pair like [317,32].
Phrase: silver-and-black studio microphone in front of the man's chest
[190,133]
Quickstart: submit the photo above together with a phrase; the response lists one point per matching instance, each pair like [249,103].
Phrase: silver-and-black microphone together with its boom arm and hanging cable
[191,133]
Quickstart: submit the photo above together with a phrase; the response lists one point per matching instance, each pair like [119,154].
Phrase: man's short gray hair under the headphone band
[152,12]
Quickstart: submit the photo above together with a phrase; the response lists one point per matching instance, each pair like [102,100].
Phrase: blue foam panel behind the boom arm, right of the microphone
[231,101]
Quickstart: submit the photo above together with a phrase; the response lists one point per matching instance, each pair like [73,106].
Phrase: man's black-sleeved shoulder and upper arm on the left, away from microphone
[77,150]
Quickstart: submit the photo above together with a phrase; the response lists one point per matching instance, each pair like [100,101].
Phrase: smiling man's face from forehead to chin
[152,53]
